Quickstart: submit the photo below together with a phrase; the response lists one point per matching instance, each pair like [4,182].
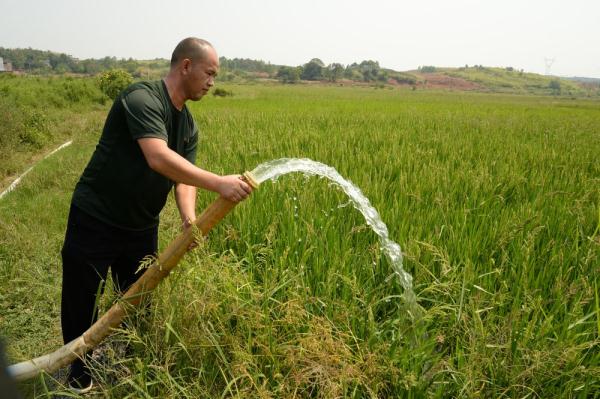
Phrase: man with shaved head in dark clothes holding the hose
[148,144]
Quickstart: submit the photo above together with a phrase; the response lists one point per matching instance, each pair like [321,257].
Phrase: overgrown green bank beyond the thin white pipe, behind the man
[40,113]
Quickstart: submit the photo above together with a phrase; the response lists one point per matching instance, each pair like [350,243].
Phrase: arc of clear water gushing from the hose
[273,169]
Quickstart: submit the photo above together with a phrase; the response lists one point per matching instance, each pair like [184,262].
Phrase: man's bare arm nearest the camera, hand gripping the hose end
[168,163]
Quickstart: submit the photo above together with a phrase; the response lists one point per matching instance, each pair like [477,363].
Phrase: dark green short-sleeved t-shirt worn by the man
[117,186]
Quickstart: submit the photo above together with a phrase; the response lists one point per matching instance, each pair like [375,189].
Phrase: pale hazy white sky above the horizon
[399,34]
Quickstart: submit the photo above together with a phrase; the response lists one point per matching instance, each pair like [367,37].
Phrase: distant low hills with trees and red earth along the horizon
[478,78]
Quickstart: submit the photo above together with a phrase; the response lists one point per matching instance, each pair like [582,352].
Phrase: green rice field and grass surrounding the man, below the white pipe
[494,199]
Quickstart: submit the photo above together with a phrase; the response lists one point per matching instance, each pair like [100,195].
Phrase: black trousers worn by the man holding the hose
[91,247]
